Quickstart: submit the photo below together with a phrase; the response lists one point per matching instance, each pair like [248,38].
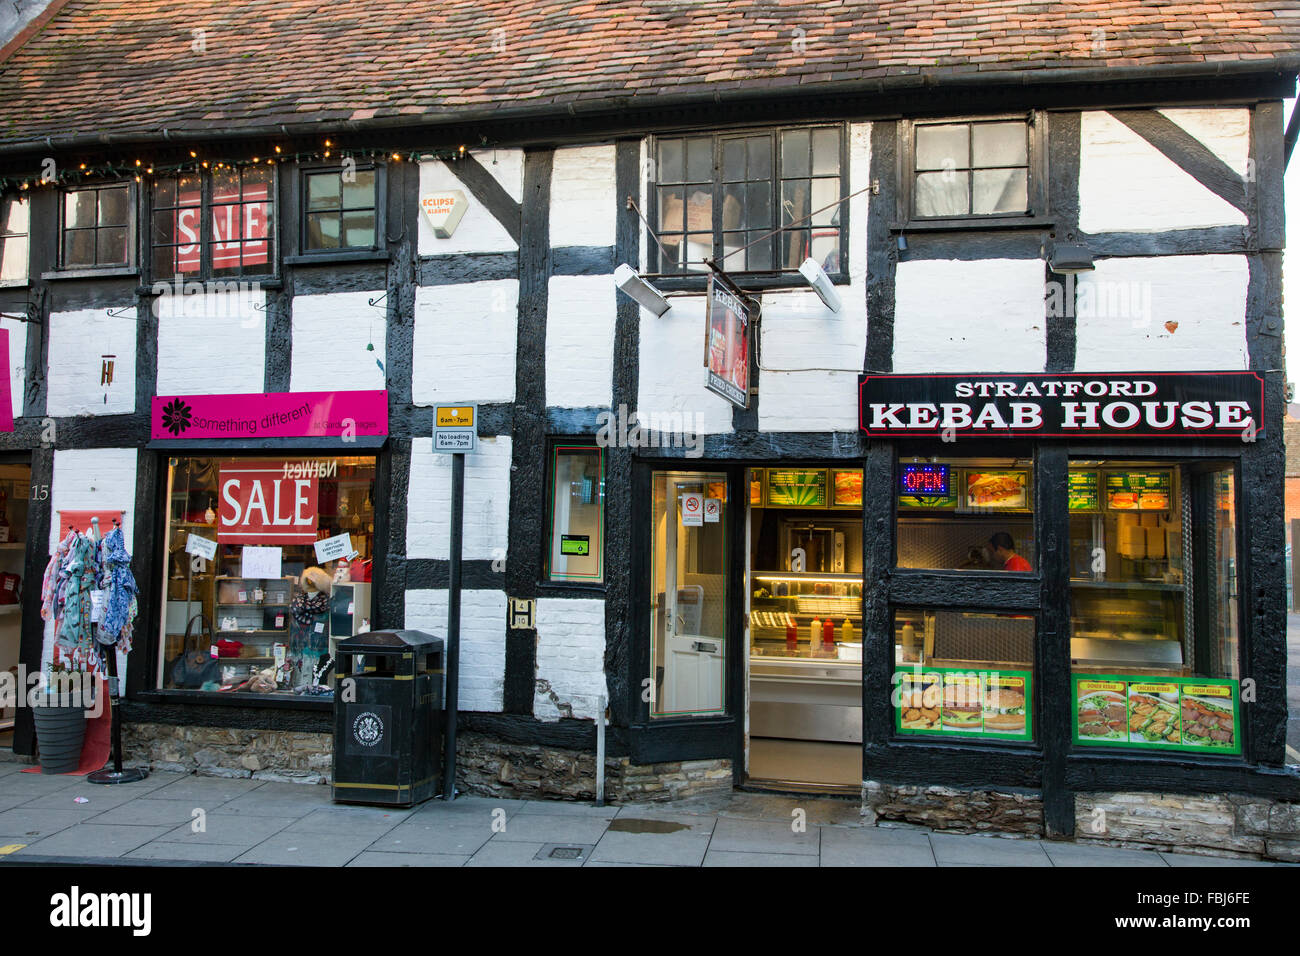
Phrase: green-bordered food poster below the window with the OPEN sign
[957,702]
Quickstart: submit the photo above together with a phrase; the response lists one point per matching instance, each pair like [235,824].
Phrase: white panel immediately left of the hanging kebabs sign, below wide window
[673,370]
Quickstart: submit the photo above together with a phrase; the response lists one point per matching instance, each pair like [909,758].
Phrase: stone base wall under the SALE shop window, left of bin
[263,755]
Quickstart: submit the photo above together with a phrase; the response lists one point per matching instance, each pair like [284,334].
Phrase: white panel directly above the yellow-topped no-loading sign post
[466,341]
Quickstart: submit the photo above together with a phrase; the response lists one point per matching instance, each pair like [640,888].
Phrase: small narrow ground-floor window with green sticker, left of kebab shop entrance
[577,514]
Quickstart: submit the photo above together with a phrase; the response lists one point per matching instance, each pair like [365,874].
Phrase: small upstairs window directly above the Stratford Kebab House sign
[972,170]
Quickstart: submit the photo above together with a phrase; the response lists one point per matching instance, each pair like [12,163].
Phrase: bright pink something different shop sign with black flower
[271,416]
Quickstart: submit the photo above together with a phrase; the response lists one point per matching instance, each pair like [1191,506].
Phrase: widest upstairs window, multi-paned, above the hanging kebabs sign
[721,197]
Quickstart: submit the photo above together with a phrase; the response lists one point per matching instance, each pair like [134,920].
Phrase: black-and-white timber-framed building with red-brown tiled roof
[968,155]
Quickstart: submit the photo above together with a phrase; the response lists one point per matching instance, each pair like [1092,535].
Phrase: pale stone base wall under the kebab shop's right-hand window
[1230,824]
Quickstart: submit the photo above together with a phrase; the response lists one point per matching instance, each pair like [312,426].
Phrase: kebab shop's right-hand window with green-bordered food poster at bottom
[1154,605]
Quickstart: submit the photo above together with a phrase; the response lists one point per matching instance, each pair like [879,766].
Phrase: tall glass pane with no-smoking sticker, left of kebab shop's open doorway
[690,566]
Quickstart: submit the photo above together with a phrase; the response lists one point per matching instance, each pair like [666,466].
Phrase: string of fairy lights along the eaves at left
[141,170]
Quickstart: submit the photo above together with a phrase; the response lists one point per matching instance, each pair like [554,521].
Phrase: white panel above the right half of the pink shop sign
[331,338]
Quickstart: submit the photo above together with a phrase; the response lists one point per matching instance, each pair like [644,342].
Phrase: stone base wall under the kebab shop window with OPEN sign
[960,811]
